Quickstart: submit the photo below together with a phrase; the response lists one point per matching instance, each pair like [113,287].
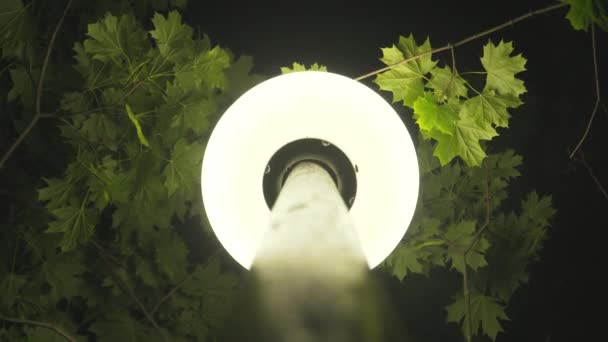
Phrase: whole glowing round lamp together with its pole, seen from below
[310,178]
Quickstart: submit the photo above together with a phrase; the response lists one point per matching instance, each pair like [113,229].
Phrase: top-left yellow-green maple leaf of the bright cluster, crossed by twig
[405,80]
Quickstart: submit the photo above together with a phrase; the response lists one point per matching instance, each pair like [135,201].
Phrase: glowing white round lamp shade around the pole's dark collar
[310,105]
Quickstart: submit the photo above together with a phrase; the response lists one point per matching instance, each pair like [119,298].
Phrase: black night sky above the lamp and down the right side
[562,298]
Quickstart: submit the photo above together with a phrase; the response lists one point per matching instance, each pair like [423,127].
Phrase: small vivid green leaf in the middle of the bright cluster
[430,115]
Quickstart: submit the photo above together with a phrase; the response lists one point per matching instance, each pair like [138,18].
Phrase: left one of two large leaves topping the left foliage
[116,39]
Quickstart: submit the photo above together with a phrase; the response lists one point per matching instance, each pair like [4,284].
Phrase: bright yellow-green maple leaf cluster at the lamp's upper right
[439,96]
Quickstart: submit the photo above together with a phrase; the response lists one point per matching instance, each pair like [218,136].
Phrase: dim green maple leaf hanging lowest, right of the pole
[485,313]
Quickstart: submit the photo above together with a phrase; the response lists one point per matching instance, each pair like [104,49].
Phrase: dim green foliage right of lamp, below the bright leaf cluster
[451,211]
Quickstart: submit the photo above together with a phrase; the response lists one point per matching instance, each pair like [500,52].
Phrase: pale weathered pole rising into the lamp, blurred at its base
[310,264]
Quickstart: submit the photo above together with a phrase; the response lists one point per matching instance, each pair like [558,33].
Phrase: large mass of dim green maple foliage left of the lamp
[111,229]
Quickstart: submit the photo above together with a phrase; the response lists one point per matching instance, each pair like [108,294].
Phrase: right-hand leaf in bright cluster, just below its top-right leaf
[490,108]
